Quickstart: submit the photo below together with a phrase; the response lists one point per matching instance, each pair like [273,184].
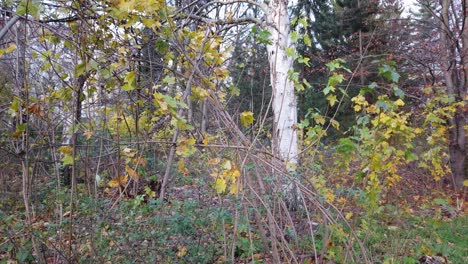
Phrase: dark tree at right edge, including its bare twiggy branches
[442,48]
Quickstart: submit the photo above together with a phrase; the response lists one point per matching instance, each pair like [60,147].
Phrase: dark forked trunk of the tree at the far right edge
[454,66]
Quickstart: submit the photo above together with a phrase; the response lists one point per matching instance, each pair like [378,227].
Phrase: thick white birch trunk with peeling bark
[284,101]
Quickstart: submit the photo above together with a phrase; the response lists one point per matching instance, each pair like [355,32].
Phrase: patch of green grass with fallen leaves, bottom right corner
[418,236]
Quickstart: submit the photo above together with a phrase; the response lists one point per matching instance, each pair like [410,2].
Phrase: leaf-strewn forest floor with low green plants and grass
[418,217]
